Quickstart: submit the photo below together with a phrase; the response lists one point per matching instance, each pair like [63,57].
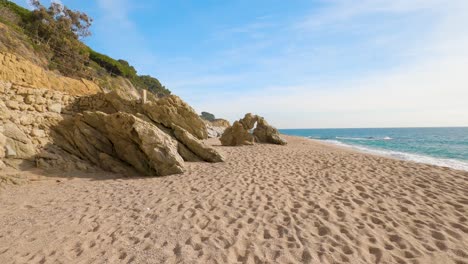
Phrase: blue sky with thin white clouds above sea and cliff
[335,63]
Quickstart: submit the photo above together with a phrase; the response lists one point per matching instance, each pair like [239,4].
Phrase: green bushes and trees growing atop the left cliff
[55,32]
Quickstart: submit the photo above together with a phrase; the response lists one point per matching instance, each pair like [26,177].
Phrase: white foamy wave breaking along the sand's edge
[451,163]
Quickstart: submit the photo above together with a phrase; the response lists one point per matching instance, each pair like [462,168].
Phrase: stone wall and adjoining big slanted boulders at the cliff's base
[111,131]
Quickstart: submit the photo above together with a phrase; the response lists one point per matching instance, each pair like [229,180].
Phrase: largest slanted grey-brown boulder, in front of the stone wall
[124,138]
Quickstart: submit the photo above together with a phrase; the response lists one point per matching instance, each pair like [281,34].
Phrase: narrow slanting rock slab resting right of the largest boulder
[197,147]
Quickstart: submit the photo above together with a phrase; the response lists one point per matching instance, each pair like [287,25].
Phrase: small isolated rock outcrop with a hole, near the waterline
[239,133]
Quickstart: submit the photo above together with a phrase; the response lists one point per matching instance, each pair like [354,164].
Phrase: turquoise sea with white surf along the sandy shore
[437,146]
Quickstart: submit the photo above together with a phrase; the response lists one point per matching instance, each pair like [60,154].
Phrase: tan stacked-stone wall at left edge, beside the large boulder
[26,115]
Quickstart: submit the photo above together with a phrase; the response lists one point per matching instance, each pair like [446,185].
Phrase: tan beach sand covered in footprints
[306,202]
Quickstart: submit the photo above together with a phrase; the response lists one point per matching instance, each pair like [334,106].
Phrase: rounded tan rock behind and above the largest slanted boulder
[171,111]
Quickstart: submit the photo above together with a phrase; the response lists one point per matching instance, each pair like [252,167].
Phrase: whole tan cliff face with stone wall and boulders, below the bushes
[56,122]
